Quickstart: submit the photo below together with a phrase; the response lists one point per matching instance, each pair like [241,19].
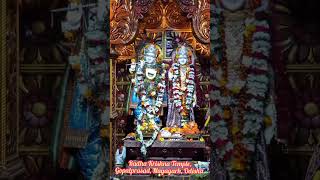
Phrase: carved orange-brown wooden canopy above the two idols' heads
[129,23]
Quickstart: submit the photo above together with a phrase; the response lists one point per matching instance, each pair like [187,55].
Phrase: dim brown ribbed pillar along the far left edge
[10,165]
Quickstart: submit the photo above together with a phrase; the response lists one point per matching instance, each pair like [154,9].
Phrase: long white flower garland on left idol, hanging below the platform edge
[152,111]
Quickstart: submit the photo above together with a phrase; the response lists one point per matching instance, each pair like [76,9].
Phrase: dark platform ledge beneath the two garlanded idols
[167,150]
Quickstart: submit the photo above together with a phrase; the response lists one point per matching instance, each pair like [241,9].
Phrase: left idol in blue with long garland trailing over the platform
[148,94]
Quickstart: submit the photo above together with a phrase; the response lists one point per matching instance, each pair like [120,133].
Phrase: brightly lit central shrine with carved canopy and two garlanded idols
[159,81]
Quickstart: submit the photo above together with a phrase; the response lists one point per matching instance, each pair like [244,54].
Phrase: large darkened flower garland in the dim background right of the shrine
[238,110]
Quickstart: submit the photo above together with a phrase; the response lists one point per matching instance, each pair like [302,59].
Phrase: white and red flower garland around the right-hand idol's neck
[178,92]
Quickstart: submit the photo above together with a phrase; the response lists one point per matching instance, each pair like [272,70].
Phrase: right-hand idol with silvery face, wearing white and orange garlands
[182,87]
